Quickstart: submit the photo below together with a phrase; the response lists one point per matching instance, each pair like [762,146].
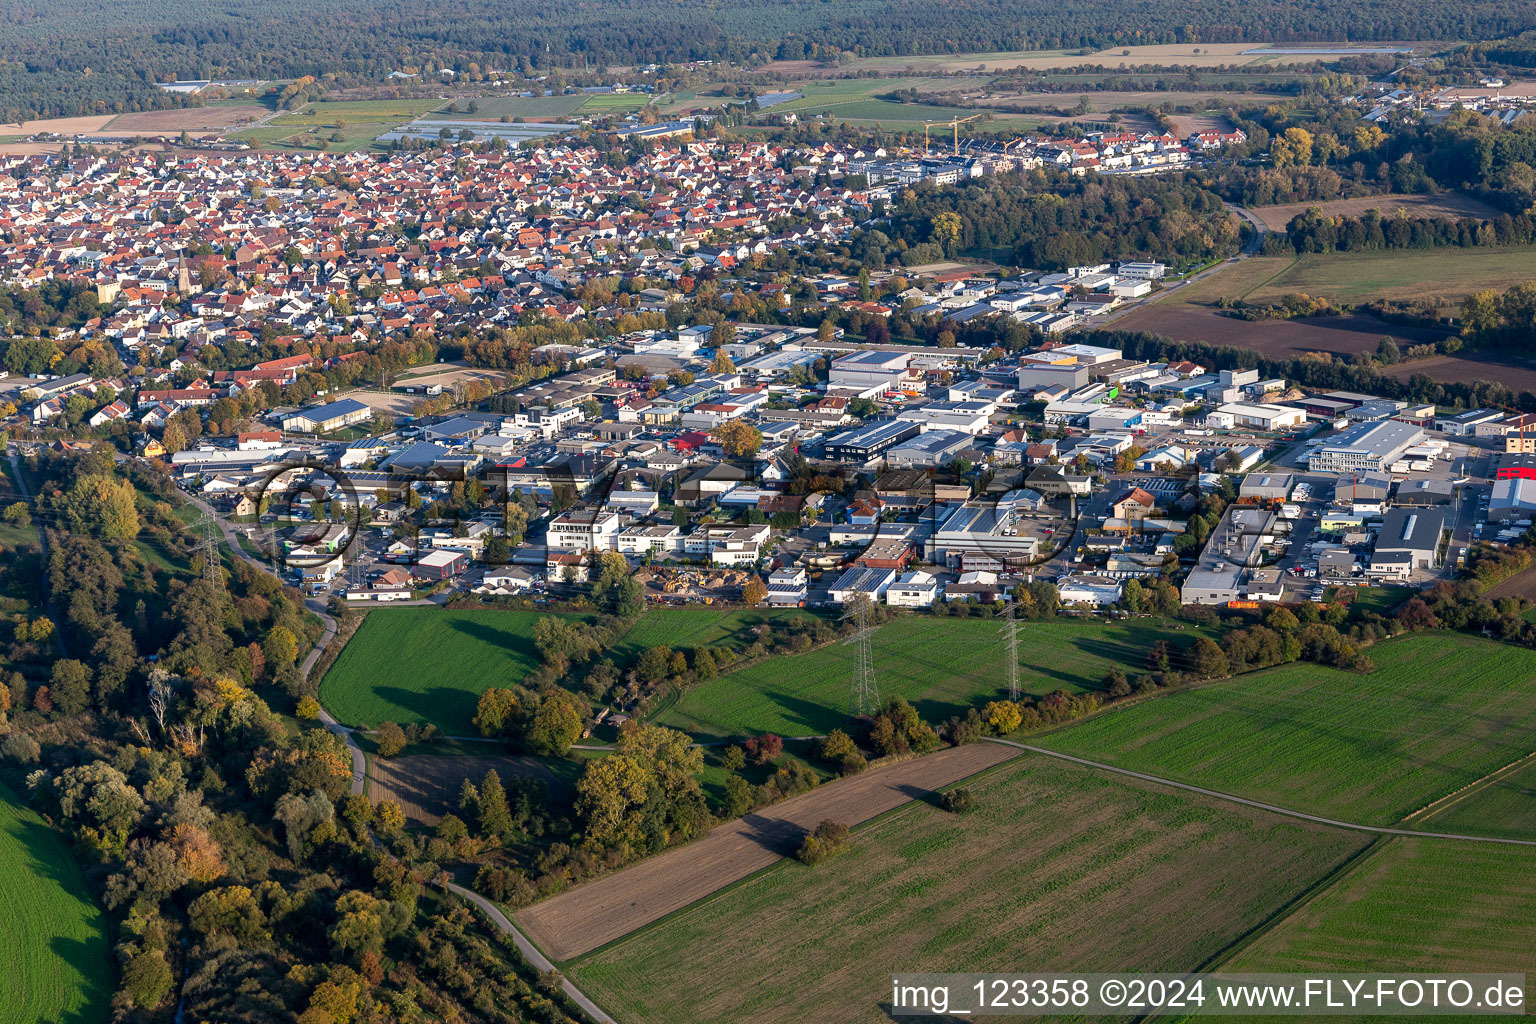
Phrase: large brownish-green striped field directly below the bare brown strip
[1058,868]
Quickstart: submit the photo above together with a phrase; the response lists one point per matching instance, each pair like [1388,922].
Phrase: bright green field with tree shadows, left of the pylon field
[428,666]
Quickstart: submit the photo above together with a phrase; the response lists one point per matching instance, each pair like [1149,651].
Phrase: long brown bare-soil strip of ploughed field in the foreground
[584,919]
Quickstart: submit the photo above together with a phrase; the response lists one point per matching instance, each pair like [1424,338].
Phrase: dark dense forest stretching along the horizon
[74,58]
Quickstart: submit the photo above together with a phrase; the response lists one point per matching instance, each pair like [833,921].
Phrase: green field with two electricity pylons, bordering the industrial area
[942,666]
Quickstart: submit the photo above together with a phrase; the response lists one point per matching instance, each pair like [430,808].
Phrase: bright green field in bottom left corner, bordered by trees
[55,957]
